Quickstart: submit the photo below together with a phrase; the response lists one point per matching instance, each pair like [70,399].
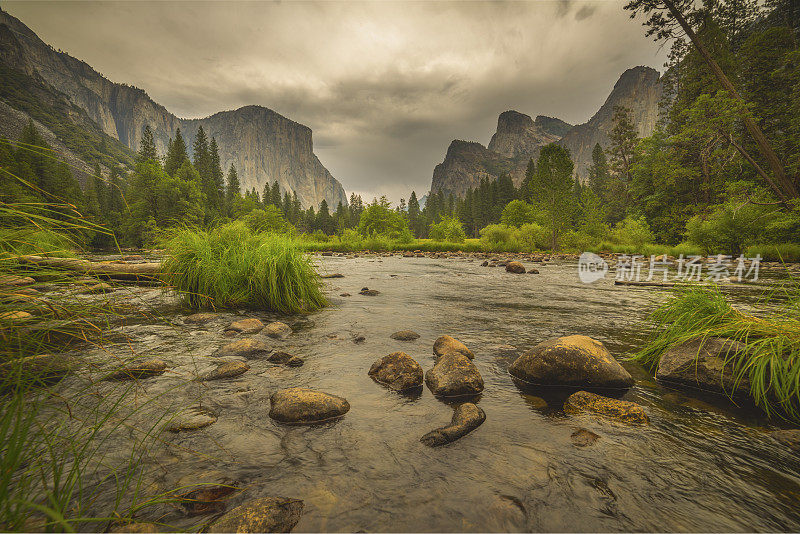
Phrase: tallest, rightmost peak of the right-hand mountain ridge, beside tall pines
[638,89]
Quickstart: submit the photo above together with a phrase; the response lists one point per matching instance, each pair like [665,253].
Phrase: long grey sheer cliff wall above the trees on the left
[263,145]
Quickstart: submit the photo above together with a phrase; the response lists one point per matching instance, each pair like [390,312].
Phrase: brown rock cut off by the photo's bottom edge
[269,514]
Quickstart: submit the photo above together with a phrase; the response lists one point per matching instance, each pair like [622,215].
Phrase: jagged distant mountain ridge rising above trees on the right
[519,138]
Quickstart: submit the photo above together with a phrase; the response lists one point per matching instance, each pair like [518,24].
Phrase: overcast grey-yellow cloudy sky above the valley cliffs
[384,86]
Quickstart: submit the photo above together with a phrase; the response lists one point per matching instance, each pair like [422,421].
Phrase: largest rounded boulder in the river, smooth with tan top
[576,361]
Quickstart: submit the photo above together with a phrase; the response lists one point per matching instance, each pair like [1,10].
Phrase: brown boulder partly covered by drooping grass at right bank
[691,365]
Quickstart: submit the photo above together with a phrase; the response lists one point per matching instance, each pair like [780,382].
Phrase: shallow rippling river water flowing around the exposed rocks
[697,467]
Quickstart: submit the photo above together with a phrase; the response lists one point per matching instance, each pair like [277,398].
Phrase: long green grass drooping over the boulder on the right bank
[771,357]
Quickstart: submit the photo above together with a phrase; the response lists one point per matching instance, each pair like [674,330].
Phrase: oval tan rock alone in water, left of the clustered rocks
[306,406]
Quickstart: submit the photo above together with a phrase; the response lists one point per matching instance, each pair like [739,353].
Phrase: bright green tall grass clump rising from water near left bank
[232,266]
